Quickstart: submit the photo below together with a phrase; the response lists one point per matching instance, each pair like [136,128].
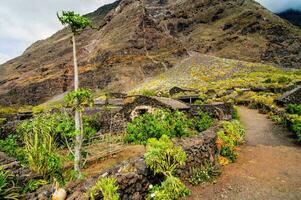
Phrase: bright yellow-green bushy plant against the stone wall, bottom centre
[163,157]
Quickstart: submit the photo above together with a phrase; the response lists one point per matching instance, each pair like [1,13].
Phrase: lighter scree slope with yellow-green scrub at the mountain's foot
[205,73]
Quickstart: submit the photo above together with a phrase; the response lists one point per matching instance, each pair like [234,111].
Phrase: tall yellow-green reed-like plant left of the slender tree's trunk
[38,136]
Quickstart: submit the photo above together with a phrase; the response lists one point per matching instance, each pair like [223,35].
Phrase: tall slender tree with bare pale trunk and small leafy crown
[77,23]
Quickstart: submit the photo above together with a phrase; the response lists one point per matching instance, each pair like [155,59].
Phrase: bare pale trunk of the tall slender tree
[77,118]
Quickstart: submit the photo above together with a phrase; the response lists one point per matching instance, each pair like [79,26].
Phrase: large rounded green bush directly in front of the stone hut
[172,124]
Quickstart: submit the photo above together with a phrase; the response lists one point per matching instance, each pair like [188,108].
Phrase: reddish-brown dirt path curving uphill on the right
[268,167]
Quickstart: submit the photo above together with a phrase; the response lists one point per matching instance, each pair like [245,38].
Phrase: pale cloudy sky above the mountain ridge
[22,22]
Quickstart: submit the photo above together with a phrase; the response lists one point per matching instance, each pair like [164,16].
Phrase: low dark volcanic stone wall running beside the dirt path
[134,178]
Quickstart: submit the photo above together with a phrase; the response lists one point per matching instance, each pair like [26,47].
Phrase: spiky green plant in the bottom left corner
[8,190]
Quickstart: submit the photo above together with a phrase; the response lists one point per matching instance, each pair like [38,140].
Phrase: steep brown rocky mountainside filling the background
[143,38]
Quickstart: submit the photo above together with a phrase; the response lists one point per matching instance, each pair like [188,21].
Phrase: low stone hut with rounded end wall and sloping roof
[137,105]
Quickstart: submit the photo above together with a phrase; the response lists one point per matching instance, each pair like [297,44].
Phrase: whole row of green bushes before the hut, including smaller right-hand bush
[165,122]
